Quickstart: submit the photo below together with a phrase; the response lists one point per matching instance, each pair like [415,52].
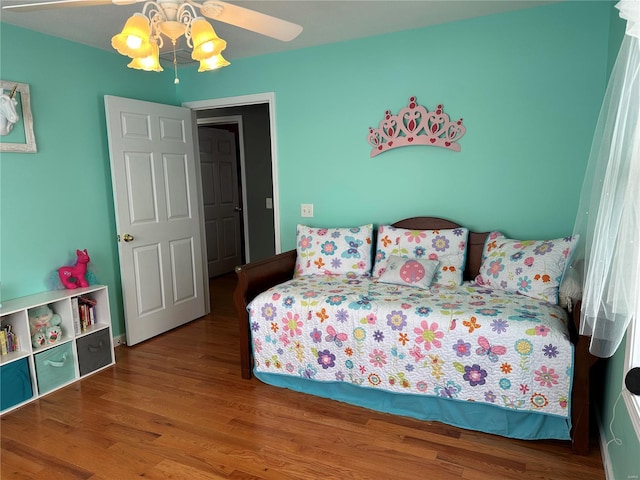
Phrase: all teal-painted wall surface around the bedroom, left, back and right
[528,84]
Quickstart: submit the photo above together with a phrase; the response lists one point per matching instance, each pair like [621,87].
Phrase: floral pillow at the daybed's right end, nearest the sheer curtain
[530,267]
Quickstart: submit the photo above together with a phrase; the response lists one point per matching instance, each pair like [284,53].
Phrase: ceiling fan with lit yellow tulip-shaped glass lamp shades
[142,35]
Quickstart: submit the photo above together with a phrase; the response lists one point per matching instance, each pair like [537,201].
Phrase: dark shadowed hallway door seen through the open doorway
[222,208]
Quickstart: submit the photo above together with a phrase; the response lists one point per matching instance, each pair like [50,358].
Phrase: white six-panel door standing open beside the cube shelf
[153,171]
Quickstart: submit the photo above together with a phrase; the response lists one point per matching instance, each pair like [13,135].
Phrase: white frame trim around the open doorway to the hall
[244,100]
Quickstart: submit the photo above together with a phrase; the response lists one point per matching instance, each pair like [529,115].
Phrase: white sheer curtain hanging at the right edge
[608,217]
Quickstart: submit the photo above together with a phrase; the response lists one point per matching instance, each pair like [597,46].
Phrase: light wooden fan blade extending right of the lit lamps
[251,20]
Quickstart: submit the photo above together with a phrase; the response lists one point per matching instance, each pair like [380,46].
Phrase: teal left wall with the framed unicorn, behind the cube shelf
[59,199]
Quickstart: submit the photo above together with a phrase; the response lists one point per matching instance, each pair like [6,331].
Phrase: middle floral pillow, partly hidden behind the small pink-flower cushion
[446,246]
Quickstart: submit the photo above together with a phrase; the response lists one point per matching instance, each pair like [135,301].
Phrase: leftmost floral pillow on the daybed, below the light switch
[334,251]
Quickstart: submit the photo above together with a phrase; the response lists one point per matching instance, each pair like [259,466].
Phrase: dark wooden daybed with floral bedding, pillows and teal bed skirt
[466,350]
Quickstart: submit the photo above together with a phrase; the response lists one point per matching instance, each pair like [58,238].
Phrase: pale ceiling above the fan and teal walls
[323,21]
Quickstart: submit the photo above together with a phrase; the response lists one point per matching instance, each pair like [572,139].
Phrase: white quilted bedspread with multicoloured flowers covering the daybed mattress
[468,343]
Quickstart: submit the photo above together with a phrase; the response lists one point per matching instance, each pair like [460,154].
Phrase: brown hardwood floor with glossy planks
[176,407]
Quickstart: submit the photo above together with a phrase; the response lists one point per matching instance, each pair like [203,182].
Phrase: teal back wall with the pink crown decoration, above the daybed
[528,85]
